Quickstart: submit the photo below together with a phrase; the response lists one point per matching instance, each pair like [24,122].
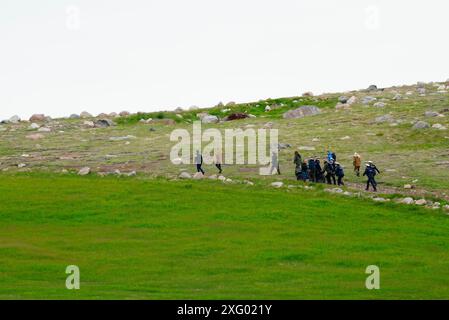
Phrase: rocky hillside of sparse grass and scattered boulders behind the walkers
[402,129]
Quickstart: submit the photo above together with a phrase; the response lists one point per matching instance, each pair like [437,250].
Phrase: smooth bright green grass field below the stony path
[157,239]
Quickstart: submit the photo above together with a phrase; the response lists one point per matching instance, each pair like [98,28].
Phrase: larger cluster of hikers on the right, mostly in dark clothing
[331,172]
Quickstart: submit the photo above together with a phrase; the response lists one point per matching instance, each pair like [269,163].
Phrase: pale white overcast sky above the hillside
[60,57]
